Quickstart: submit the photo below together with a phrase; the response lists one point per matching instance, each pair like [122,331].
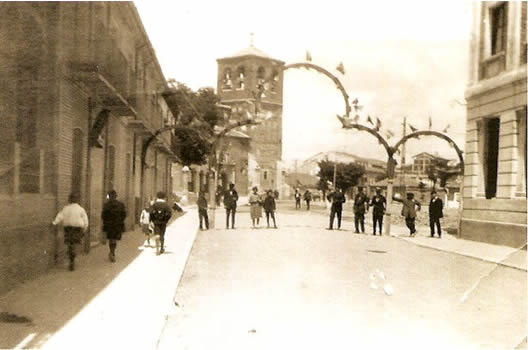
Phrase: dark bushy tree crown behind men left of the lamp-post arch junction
[347,175]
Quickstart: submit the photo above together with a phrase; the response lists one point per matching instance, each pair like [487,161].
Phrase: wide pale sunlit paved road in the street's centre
[305,287]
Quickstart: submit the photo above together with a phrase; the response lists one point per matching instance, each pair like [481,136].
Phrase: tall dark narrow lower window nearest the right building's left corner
[491,156]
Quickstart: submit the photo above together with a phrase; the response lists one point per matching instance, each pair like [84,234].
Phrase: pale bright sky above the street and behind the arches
[401,58]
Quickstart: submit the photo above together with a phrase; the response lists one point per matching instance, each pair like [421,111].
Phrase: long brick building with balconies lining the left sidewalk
[81,92]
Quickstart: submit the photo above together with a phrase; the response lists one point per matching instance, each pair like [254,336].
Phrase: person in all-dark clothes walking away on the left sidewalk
[113,216]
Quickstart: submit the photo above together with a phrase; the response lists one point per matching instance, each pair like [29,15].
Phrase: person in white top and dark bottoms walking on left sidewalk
[74,221]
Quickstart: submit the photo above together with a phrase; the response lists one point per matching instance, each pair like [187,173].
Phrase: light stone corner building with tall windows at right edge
[494,196]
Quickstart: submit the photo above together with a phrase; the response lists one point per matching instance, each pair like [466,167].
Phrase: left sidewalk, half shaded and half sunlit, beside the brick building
[102,305]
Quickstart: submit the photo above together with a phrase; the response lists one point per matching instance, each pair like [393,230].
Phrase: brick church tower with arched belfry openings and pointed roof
[238,81]
